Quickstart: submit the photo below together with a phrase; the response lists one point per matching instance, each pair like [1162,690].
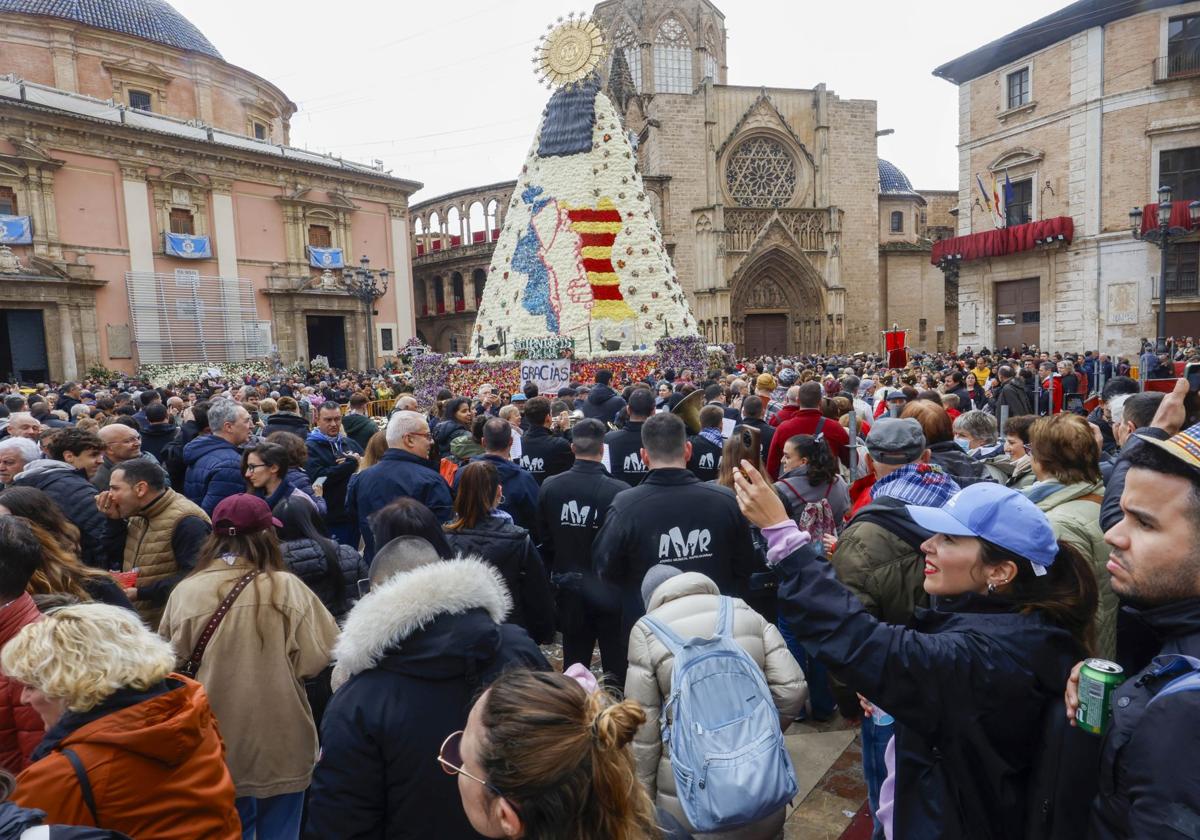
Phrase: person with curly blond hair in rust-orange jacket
[129,746]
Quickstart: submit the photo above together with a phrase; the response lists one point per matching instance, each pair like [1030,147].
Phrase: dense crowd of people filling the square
[284,607]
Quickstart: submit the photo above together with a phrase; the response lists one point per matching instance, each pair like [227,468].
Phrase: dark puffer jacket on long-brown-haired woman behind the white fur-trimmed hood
[509,549]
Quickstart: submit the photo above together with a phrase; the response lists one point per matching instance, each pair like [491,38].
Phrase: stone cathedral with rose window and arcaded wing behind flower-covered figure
[787,231]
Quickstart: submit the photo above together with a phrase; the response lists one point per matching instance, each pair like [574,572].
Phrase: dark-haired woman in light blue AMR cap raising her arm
[971,685]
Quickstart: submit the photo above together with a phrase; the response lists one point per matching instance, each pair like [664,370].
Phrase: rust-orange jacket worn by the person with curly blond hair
[157,771]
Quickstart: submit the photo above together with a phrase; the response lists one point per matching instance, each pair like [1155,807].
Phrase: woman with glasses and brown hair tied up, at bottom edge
[545,757]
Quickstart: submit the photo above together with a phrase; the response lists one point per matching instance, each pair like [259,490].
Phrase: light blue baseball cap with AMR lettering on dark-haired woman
[999,515]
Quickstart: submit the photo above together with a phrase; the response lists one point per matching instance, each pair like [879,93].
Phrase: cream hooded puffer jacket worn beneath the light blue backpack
[689,605]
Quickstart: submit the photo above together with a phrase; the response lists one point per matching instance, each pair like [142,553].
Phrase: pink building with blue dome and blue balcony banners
[153,213]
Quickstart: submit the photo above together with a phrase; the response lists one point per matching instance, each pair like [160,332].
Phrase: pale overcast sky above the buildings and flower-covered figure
[443,93]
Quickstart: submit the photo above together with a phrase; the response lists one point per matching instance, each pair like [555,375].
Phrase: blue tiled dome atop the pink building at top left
[151,20]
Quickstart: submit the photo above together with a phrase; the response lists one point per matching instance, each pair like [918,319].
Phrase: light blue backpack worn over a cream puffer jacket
[722,731]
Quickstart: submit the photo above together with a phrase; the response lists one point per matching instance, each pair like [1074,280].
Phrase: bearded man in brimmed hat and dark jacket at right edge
[1148,785]
